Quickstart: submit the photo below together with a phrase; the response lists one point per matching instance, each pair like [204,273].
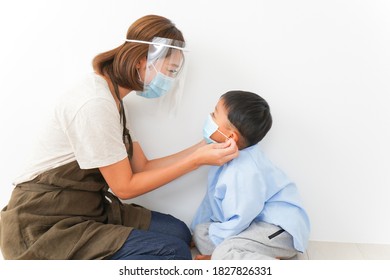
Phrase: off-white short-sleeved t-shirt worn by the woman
[84,126]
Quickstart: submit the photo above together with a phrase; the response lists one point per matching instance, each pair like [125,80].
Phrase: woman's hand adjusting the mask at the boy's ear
[217,154]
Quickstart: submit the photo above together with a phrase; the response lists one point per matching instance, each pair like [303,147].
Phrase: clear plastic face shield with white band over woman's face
[164,73]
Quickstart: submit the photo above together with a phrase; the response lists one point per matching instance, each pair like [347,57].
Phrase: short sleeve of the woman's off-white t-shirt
[95,134]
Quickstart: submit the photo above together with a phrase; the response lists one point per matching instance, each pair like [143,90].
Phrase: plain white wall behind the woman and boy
[324,67]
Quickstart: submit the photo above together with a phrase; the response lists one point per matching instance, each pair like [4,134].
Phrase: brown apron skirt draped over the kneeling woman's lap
[67,213]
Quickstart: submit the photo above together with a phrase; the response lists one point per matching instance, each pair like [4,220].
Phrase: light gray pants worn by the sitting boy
[260,241]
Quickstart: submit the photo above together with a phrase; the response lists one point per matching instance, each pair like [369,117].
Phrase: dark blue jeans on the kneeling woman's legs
[167,238]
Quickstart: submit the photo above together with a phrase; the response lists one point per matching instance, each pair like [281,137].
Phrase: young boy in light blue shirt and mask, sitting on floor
[251,209]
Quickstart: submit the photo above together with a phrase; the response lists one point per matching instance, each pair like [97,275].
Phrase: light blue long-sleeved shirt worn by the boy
[251,188]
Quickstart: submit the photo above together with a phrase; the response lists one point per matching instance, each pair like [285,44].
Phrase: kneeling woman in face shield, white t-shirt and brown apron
[66,205]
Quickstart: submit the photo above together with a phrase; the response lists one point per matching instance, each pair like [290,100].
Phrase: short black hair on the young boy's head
[249,113]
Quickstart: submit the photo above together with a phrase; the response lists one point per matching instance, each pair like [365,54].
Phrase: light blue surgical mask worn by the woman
[158,87]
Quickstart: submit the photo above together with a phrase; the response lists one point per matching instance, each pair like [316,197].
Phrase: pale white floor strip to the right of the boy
[340,251]
